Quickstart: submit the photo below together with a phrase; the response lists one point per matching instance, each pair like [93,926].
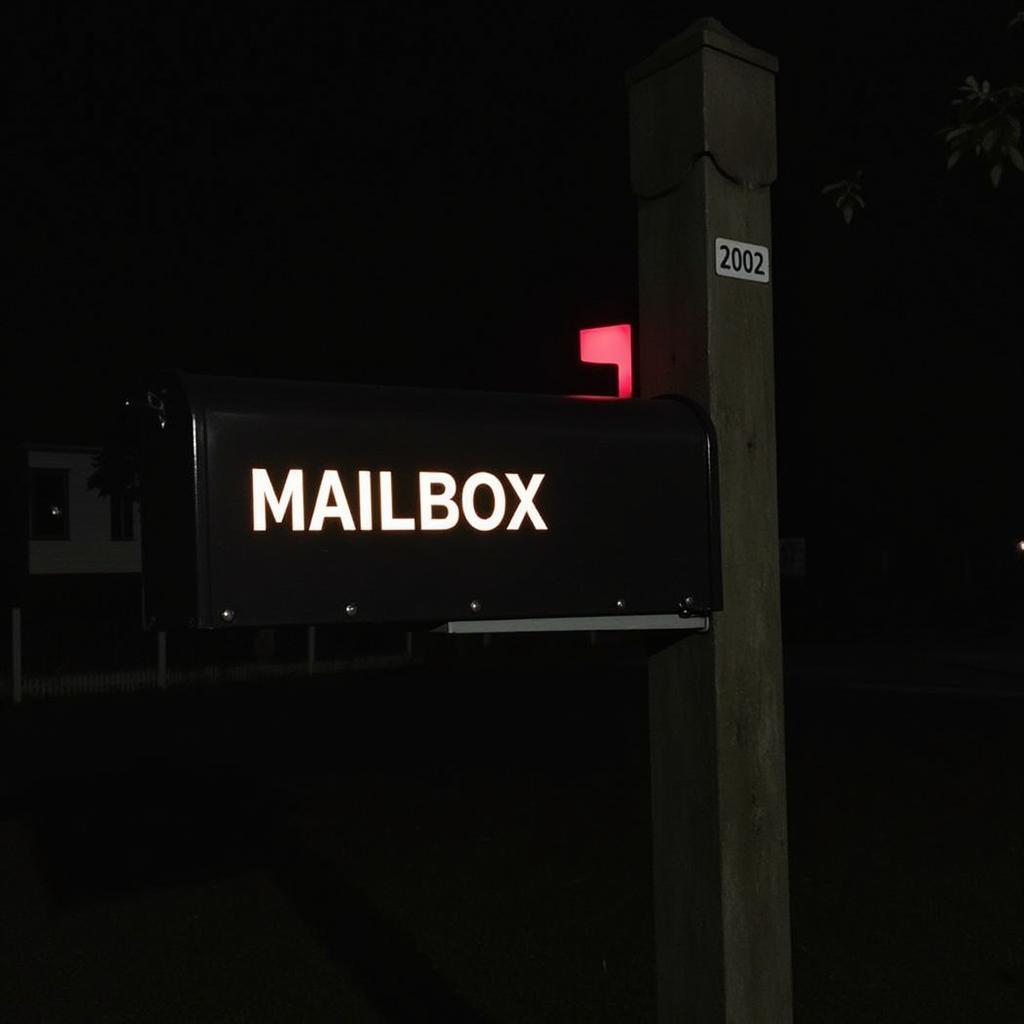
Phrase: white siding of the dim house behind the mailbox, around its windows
[89,548]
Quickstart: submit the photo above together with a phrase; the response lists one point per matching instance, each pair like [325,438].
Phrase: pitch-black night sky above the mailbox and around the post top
[378,192]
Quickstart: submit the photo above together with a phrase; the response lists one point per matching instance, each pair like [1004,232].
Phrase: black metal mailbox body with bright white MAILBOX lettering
[286,502]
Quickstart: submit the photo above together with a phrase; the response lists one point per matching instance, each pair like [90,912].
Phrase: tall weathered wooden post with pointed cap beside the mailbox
[703,154]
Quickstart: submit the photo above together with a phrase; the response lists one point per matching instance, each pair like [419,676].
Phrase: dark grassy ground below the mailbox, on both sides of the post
[475,846]
